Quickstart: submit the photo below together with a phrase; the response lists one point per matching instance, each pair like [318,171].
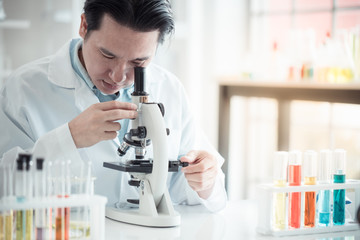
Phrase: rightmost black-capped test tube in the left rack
[40,194]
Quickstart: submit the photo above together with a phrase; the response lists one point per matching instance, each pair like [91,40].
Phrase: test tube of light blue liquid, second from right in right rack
[324,177]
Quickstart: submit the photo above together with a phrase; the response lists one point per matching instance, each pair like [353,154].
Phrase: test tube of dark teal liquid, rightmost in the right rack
[339,194]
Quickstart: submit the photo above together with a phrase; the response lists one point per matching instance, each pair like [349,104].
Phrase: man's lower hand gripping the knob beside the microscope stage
[201,172]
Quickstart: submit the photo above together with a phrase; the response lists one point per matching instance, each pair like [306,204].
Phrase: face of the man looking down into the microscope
[110,54]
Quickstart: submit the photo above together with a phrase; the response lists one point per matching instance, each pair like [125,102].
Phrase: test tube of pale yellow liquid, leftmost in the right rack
[280,174]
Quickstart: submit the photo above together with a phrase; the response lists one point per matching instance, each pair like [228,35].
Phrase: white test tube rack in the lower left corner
[95,205]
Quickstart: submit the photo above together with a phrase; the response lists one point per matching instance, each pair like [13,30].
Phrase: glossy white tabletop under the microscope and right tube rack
[237,221]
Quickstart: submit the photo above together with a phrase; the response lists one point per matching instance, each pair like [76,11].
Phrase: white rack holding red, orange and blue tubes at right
[265,193]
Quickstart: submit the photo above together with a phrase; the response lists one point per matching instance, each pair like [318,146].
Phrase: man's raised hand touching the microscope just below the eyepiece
[96,123]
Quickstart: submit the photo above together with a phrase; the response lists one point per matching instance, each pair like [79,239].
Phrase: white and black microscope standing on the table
[148,175]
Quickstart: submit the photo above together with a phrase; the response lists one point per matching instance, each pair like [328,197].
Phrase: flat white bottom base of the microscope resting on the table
[132,216]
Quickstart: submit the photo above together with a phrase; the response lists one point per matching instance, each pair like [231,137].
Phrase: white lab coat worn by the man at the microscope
[40,98]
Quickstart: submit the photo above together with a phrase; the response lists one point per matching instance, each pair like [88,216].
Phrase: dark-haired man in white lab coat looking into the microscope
[76,104]
